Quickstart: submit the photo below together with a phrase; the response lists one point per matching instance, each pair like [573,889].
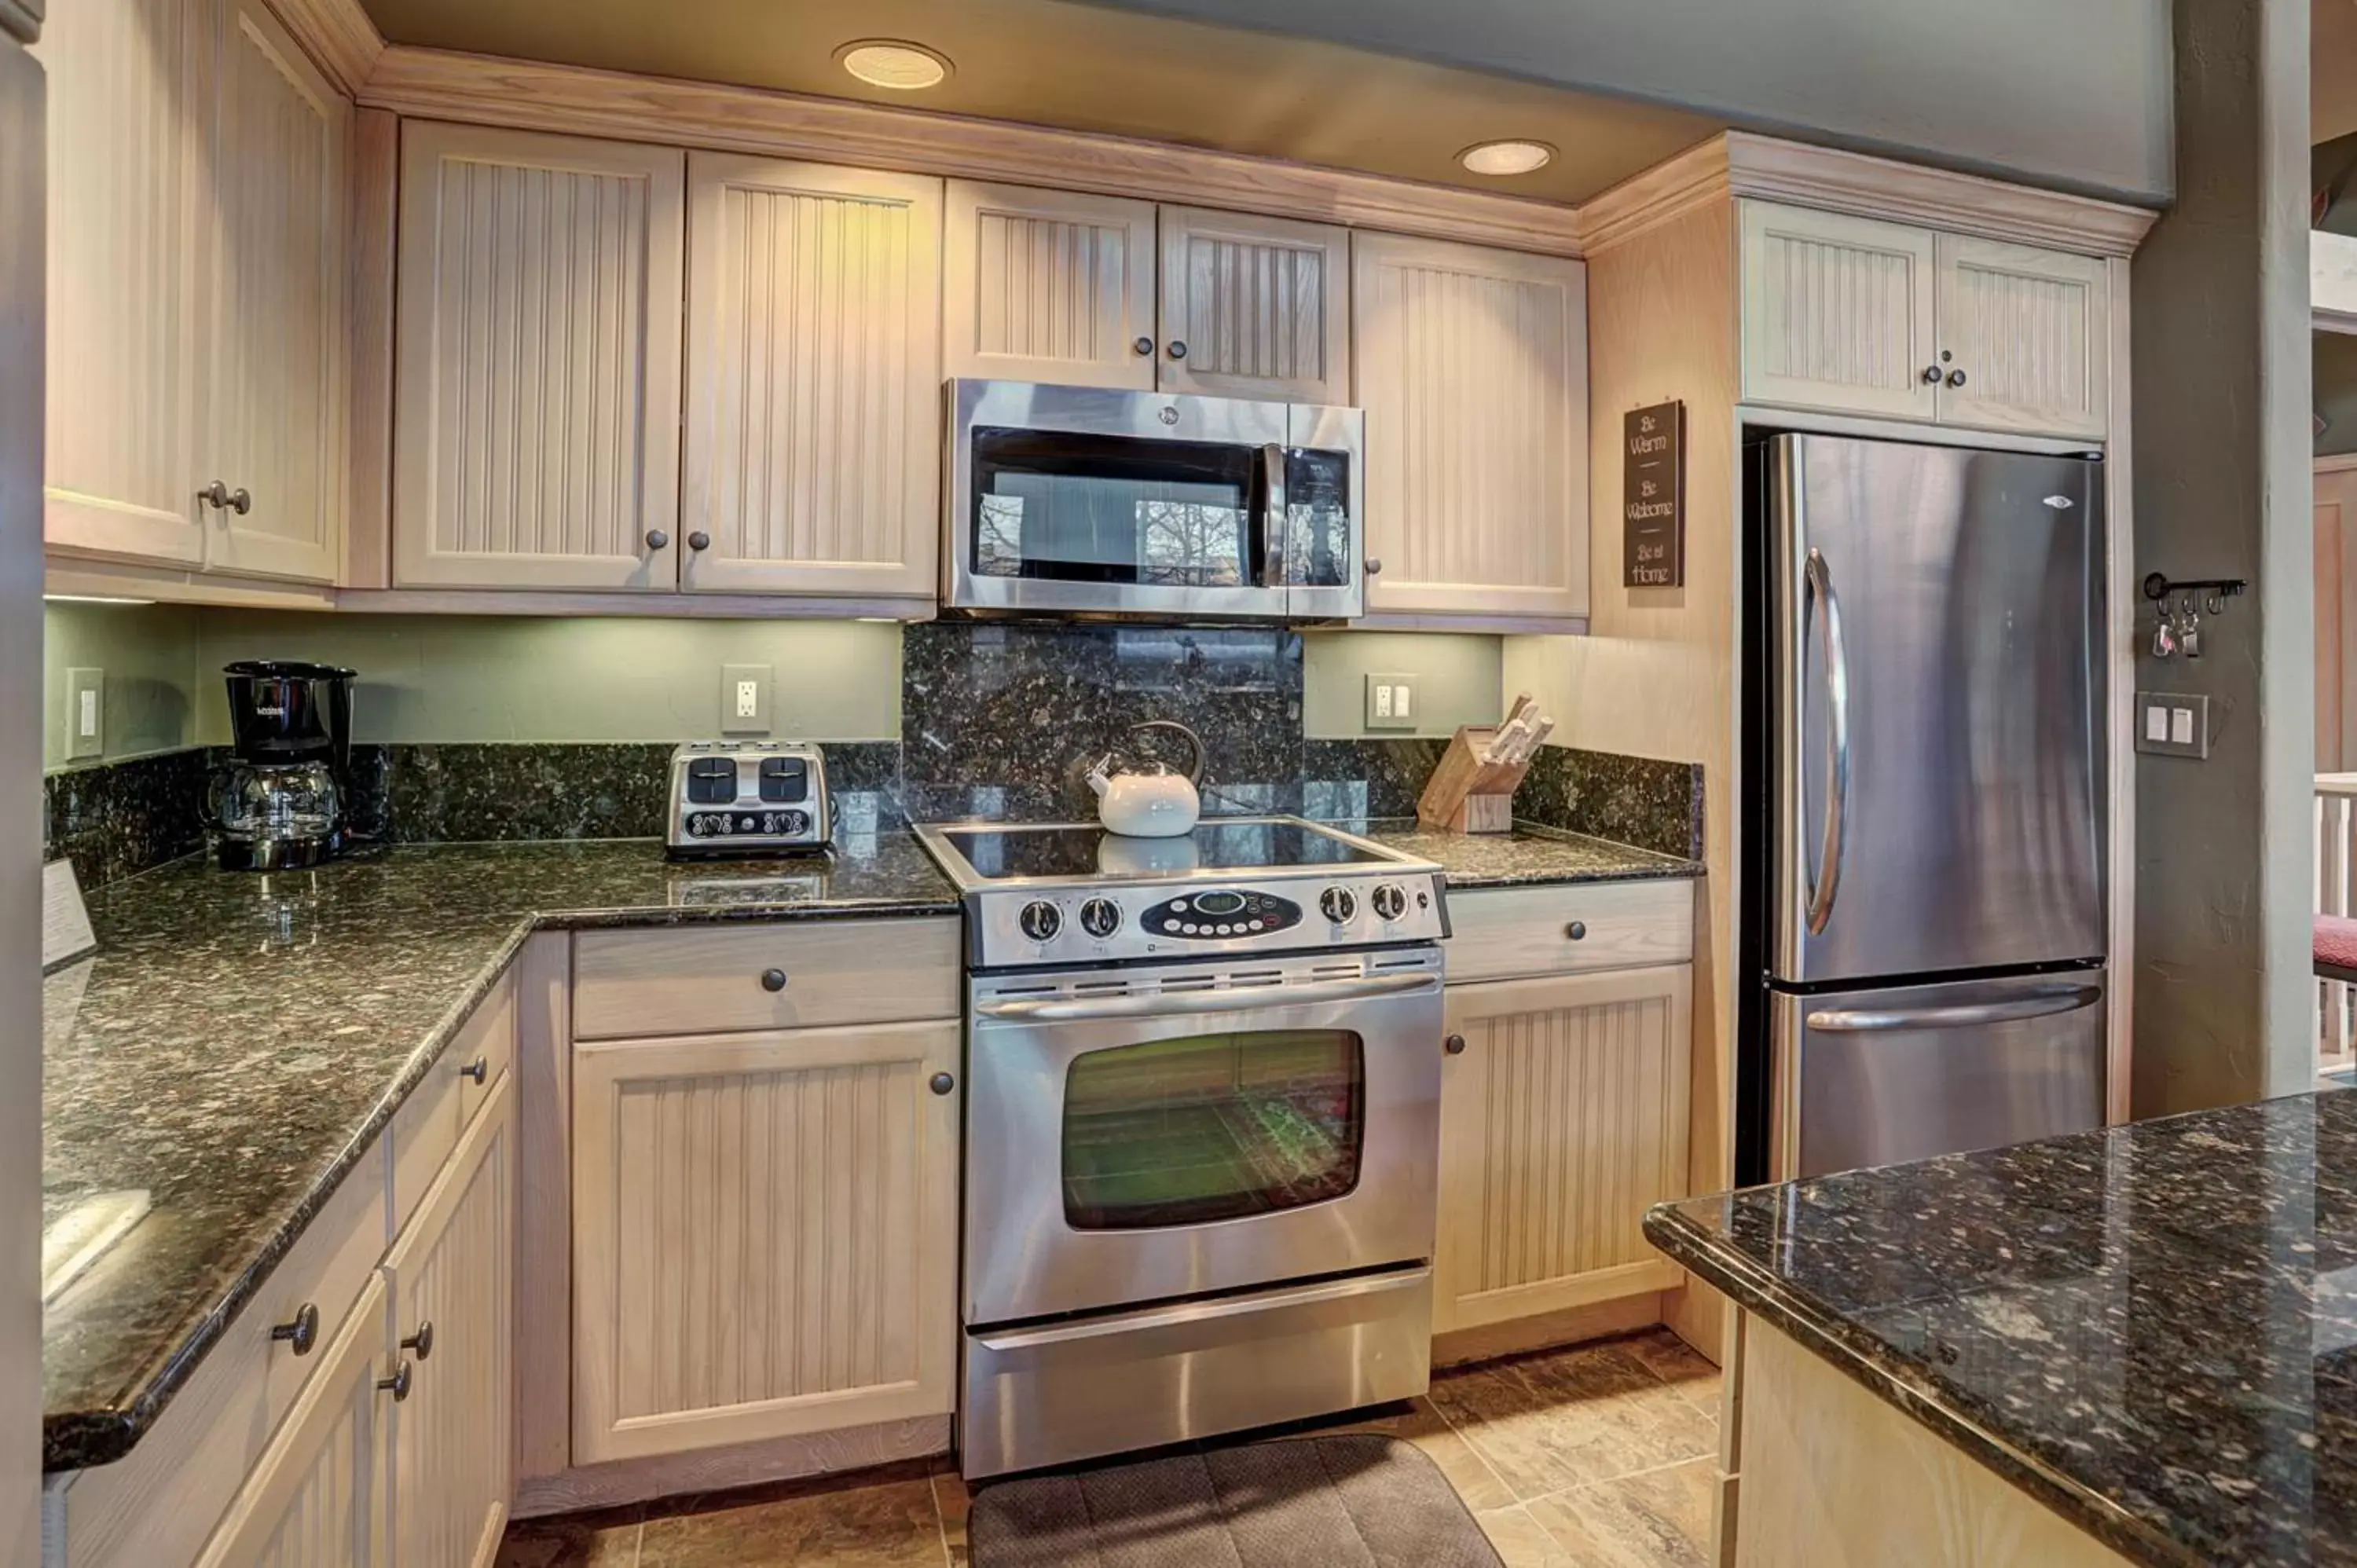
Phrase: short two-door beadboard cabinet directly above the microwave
[1102,291]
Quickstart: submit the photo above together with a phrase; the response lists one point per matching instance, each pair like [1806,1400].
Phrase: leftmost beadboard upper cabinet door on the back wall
[536,402]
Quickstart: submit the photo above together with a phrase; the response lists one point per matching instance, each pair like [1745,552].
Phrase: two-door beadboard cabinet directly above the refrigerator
[1899,322]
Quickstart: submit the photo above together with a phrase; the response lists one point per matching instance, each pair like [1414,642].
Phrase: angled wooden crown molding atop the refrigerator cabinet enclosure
[1743,164]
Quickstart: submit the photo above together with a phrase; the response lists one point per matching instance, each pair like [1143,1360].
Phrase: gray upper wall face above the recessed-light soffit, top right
[2071,93]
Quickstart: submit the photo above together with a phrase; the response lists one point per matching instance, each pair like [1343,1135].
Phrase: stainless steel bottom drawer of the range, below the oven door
[1133,1381]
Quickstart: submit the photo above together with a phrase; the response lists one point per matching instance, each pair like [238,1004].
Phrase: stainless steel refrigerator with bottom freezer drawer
[1927,831]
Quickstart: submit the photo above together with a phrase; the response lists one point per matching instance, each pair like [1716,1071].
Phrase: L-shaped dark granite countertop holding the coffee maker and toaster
[242,1039]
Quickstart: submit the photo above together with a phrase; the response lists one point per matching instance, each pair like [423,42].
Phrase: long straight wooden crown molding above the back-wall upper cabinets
[574,100]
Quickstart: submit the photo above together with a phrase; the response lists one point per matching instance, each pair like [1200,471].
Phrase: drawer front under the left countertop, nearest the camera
[157,1506]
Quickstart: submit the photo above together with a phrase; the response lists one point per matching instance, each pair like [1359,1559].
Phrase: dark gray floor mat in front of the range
[1352,1501]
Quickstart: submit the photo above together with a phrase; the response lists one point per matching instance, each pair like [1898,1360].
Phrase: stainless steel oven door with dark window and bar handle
[1158,1135]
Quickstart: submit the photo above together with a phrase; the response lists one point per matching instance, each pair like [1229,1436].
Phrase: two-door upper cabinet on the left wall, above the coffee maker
[197,301]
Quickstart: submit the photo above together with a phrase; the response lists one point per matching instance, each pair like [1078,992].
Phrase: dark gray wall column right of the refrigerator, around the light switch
[2224,489]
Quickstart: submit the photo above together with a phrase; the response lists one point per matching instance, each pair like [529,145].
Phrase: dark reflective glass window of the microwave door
[1076,508]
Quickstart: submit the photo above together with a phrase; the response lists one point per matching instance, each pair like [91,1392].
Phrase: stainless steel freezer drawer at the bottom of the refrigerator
[1917,1072]
